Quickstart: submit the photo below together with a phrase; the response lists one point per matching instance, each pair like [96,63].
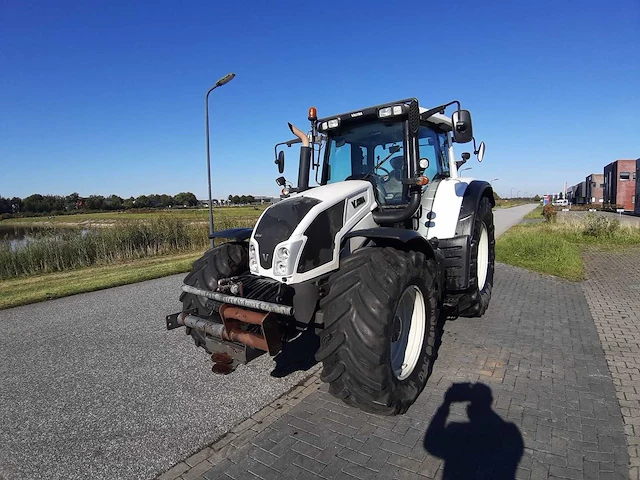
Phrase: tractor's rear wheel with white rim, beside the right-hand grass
[482,258]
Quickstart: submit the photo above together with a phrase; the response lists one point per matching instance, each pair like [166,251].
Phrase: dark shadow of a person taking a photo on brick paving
[485,447]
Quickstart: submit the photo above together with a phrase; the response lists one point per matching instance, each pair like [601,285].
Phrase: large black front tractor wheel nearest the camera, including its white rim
[380,319]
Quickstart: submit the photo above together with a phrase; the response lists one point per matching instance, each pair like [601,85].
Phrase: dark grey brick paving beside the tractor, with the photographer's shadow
[554,411]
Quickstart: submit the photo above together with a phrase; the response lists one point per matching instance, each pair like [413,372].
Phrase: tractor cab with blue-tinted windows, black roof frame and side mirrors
[398,147]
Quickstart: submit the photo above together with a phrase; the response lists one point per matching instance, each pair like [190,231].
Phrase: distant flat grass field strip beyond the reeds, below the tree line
[196,215]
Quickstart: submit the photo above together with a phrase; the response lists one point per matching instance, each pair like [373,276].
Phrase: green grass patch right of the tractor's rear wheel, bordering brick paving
[556,248]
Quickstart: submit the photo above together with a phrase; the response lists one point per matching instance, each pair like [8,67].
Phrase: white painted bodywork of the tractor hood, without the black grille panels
[329,195]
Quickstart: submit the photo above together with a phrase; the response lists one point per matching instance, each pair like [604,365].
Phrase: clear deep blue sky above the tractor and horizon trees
[108,97]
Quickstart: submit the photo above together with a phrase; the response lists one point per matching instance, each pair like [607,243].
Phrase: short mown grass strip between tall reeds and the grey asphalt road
[24,290]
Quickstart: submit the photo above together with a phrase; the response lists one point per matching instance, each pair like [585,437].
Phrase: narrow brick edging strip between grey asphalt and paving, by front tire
[237,440]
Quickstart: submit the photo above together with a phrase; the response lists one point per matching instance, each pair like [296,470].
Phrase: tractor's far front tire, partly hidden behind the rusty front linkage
[226,260]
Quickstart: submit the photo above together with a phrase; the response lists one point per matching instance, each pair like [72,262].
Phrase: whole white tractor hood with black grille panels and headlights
[299,238]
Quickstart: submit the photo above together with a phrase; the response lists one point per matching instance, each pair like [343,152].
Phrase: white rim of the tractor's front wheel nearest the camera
[409,321]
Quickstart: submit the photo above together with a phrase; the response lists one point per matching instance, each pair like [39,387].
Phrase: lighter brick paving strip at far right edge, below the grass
[613,293]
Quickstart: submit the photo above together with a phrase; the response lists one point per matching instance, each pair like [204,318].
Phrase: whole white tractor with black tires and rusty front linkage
[390,241]
